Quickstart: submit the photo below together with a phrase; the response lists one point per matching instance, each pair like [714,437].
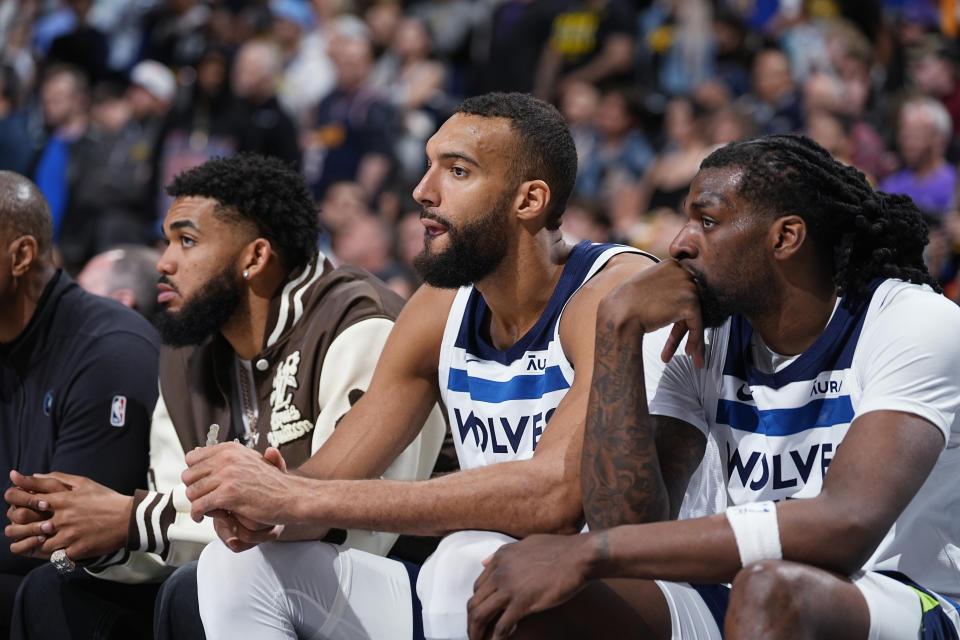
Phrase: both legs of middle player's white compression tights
[319,590]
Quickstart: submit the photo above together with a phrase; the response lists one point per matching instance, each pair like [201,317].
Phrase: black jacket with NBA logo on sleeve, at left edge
[77,388]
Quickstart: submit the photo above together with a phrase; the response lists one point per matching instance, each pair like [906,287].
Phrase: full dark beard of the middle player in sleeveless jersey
[474,249]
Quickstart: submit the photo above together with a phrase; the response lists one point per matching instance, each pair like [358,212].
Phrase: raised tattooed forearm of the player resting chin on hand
[620,470]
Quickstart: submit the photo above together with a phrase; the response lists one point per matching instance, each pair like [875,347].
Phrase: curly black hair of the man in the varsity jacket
[261,190]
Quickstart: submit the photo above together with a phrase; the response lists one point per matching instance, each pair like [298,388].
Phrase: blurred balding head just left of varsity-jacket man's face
[127,274]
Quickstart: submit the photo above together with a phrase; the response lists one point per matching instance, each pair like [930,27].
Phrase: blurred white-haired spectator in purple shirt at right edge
[923,132]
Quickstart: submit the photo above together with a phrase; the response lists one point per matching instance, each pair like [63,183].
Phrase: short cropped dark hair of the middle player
[545,150]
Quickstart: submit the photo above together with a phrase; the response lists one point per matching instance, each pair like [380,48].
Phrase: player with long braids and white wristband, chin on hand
[815,338]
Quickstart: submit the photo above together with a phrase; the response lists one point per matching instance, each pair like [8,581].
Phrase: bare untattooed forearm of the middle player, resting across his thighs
[503,497]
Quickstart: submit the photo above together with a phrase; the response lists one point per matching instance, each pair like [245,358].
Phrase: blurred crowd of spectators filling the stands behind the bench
[102,102]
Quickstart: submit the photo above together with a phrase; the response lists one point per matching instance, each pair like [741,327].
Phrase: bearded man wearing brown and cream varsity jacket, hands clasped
[264,338]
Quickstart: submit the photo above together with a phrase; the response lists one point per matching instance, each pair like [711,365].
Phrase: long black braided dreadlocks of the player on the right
[863,233]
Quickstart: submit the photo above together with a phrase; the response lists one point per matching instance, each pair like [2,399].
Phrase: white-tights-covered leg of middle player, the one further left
[302,590]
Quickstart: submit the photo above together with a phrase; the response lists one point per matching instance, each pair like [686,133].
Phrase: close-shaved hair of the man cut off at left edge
[24,211]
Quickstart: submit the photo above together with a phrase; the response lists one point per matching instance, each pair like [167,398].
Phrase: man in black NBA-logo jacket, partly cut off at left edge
[77,382]
